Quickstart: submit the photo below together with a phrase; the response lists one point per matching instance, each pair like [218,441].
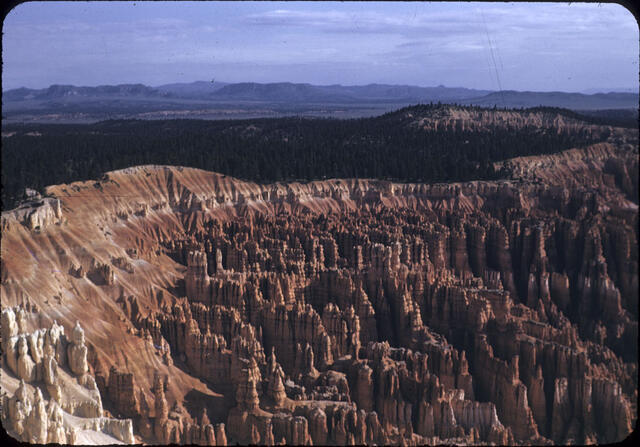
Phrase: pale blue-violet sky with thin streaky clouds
[508,46]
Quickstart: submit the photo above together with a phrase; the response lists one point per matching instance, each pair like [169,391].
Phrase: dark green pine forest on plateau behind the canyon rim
[267,150]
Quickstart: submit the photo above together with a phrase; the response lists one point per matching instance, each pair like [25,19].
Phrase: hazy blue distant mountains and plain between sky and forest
[249,99]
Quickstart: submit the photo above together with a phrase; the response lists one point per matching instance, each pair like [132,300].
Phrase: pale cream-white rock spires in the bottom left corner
[43,403]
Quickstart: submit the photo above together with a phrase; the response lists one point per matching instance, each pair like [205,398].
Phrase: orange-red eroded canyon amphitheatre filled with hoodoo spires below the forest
[340,312]
